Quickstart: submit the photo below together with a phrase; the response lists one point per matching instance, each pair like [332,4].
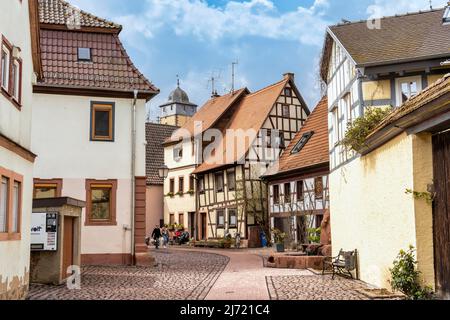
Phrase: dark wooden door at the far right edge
[441,212]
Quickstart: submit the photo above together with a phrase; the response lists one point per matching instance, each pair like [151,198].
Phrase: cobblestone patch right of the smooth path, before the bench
[314,287]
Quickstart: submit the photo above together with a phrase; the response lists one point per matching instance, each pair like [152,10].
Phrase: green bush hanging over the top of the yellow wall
[359,130]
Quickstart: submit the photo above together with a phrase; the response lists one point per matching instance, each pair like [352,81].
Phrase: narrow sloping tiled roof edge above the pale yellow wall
[434,91]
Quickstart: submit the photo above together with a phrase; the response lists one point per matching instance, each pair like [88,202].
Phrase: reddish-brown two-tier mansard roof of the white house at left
[111,69]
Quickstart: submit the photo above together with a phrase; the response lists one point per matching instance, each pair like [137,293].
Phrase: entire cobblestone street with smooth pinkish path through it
[203,275]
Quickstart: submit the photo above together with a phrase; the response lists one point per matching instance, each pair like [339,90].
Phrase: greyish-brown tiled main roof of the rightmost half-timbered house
[409,37]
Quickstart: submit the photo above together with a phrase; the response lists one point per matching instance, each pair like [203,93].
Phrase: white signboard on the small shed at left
[44,231]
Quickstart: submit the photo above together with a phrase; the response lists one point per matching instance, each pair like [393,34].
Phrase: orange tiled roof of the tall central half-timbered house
[251,112]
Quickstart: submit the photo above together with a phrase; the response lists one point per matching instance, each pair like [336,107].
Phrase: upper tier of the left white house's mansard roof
[60,12]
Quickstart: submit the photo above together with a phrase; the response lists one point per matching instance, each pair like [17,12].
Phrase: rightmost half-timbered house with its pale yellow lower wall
[388,66]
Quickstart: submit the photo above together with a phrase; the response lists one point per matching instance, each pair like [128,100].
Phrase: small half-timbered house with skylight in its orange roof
[298,182]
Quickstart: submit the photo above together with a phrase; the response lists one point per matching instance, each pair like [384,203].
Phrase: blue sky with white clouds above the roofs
[200,39]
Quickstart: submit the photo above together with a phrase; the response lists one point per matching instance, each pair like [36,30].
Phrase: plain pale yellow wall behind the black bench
[371,212]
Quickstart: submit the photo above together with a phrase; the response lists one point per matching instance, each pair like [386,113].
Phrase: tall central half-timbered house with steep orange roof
[231,197]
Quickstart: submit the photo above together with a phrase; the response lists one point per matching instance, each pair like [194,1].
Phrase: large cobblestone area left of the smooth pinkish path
[179,276]
